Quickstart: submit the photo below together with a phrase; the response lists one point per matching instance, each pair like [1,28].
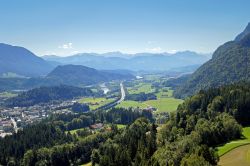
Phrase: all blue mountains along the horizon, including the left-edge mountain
[19,61]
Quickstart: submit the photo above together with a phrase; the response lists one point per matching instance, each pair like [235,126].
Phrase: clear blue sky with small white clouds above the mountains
[65,27]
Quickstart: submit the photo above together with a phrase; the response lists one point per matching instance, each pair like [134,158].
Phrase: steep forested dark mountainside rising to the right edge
[230,63]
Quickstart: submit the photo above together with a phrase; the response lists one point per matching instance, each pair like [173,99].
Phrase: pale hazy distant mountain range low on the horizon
[135,62]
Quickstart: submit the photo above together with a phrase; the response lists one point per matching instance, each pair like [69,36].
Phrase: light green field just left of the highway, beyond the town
[95,103]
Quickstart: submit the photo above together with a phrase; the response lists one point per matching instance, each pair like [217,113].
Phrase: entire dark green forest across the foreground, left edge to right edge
[217,114]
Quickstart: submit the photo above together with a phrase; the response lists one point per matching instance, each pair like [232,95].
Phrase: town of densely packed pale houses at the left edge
[13,119]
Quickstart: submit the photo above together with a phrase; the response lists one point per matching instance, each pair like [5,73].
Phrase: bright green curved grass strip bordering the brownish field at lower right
[236,143]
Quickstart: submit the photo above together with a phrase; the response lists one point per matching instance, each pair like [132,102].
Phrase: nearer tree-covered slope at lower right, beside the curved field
[183,140]
